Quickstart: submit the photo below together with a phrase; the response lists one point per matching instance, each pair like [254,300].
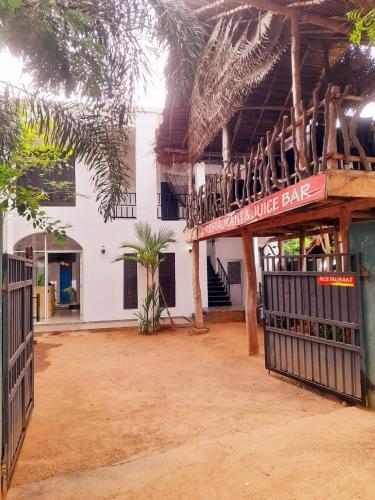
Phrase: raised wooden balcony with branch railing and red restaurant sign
[323,156]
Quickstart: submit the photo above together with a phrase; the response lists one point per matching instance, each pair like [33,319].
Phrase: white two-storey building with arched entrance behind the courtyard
[84,282]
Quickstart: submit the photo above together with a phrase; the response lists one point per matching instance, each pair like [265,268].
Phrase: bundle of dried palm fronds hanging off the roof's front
[234,61]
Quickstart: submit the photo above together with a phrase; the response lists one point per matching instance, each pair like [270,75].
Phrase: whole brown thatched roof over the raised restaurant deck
[243,76]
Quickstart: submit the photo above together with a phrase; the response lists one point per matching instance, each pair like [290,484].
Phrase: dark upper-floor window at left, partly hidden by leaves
[56,197]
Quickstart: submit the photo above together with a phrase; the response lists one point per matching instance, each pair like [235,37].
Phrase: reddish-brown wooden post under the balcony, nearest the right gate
[251,293]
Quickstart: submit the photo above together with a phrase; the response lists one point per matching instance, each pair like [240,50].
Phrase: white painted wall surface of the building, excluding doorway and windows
[102,278]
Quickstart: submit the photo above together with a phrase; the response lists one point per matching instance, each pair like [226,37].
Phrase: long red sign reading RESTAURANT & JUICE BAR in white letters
[307,191]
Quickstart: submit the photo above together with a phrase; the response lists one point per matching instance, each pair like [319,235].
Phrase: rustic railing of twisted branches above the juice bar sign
[295,150]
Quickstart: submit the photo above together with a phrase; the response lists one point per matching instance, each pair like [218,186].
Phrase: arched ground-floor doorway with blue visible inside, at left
[57,278]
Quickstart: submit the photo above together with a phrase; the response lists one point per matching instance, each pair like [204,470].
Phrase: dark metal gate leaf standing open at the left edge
[18,358]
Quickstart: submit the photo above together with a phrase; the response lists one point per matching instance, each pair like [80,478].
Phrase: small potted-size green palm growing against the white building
[147,253]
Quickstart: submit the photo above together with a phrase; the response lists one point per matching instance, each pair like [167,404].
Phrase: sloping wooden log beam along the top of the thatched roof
[315,19]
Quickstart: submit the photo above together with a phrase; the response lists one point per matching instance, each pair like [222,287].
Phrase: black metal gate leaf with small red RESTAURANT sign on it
[313,321]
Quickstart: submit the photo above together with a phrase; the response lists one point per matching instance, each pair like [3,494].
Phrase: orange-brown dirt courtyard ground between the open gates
[173,416]
